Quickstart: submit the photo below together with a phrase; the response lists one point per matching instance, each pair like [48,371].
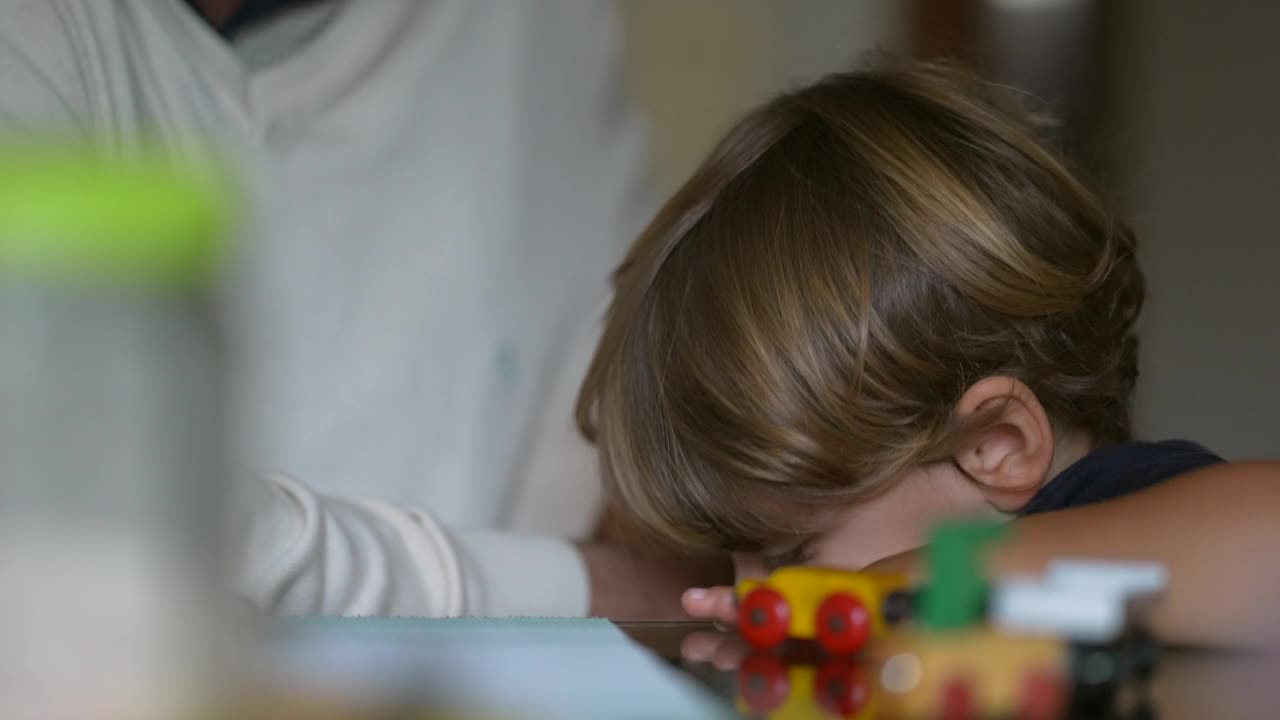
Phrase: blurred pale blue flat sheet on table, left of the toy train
[470,668]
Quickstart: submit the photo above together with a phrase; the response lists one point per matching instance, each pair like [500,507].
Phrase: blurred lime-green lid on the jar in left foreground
[70,215]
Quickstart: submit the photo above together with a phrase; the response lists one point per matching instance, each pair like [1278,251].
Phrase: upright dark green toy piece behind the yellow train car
[957,593]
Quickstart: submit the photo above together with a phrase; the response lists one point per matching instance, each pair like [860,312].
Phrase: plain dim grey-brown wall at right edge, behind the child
[1201,175]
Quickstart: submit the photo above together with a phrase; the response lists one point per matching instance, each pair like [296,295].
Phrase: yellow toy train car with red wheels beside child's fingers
[842,610]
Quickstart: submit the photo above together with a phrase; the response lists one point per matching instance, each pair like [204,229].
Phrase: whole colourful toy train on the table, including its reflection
[1050,646]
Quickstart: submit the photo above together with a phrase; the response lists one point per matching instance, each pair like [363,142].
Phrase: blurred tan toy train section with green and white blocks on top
[1030,648]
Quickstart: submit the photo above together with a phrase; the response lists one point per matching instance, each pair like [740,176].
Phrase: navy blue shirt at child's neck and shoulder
[1117,471]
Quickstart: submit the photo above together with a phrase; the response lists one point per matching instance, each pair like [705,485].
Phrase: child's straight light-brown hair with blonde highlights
[794,329]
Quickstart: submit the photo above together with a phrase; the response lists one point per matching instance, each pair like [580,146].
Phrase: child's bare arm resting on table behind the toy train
[1217,530]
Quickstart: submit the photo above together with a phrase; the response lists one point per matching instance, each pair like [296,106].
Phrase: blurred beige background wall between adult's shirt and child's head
[698,65]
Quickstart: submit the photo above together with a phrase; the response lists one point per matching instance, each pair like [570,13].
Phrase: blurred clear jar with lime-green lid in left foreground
[112,439]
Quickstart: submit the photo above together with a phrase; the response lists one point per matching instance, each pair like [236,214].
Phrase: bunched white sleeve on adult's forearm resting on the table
[308,554]
